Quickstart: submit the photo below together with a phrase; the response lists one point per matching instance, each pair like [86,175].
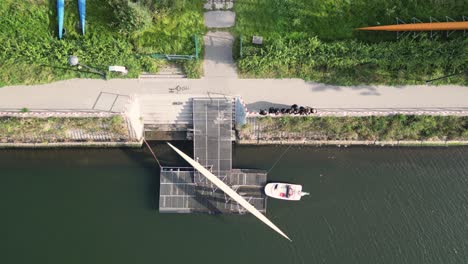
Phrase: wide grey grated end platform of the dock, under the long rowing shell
[178,193]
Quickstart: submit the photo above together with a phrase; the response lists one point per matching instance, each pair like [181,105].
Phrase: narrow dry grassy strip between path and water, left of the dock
[31,129]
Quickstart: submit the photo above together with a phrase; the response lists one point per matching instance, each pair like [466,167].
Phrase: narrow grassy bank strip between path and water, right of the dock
[396,127]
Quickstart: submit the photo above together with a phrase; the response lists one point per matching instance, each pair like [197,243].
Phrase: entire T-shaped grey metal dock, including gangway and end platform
[184,190]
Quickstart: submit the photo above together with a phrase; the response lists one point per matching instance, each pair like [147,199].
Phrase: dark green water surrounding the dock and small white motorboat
[367,205]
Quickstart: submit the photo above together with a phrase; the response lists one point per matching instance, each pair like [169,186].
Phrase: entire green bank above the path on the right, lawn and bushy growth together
[317,40]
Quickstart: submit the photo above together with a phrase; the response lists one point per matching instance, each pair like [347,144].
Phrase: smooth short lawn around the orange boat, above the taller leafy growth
[336,19]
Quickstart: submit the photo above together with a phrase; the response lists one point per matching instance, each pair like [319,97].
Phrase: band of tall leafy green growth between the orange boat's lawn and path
[352,62]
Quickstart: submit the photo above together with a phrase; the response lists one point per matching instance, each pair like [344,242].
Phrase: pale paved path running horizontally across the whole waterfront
[257,93]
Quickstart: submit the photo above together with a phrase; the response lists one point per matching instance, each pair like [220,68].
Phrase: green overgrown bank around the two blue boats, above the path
[116,32]
